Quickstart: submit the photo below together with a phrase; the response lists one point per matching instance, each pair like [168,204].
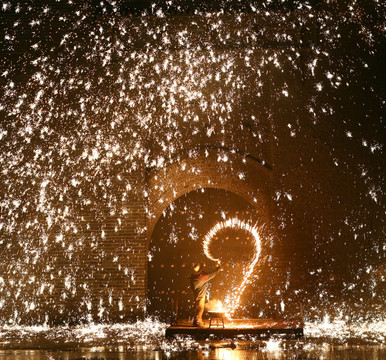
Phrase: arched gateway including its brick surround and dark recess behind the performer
[186,198]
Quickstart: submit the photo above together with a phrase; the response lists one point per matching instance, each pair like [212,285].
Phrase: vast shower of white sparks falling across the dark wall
[91,98]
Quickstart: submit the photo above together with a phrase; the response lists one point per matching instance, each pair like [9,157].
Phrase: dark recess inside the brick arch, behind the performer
[176,243]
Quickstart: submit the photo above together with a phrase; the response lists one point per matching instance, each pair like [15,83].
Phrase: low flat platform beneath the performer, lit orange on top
[262,328]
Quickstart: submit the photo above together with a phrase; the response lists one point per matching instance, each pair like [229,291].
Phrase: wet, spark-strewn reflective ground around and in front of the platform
[145,340]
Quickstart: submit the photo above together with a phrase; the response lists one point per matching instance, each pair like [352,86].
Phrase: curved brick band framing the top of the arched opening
[209,168]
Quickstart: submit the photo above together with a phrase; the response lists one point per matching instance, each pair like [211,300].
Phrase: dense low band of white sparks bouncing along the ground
[150,334]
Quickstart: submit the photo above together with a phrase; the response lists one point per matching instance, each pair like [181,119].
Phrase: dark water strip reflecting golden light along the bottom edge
[210,352]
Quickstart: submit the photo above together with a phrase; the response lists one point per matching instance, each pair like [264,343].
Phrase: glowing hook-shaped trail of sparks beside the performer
[233,300]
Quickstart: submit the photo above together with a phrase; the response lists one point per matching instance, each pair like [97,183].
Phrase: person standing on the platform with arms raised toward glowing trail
[199,284]
